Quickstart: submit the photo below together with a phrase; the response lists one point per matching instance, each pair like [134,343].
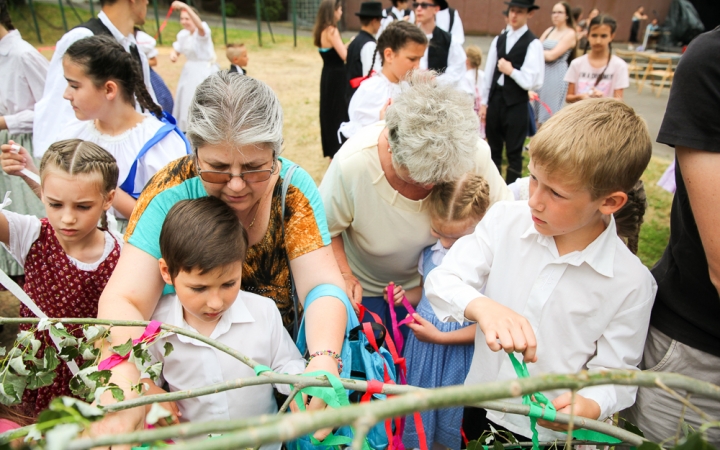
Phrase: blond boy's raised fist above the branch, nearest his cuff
[500,323]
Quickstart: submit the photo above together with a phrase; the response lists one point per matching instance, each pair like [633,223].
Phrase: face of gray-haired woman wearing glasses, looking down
[238,193]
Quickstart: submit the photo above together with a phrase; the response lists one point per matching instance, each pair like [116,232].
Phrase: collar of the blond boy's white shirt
[599,255]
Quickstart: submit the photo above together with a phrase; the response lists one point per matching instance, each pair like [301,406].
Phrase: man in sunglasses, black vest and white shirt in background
[444,54]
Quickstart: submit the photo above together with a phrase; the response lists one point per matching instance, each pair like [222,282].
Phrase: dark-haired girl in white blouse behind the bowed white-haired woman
[400,48]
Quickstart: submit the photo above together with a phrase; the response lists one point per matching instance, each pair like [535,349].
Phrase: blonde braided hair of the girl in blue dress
[464,199]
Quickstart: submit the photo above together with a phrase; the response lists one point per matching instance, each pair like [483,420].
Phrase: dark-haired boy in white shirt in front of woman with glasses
[203,248]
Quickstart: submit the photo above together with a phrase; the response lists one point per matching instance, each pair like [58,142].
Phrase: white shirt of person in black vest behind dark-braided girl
[52,112]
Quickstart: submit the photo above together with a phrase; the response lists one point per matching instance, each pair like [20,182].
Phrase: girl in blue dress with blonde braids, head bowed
[439,354]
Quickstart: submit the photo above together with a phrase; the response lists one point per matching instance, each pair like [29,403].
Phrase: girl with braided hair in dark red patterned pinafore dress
[66,257]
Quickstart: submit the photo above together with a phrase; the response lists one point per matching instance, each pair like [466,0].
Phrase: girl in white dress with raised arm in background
[195,43]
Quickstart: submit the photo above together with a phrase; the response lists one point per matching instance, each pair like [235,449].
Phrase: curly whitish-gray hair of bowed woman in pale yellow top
[433,130]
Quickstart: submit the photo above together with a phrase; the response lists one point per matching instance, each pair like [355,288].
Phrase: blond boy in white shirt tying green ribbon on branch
[584,301]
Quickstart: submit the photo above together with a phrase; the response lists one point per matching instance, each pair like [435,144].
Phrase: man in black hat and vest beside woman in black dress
[361,58]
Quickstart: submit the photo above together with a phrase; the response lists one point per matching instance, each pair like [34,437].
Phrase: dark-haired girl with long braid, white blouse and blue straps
[103,83]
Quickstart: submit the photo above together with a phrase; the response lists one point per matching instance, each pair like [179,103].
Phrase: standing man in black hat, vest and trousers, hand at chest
[515,65]
